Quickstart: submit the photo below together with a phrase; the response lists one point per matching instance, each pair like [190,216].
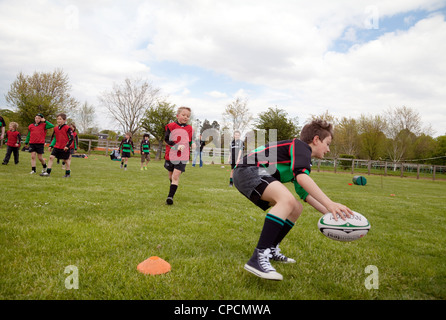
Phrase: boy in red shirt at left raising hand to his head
[36,140]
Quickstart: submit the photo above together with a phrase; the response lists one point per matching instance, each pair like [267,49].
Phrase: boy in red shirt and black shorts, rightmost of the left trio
[61,143]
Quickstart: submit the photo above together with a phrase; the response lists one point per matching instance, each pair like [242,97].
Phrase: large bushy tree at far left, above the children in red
[46,93]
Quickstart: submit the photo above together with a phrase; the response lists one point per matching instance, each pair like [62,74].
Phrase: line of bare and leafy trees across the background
[138,106]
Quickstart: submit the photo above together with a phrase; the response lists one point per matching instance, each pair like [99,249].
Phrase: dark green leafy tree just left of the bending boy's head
[278,119]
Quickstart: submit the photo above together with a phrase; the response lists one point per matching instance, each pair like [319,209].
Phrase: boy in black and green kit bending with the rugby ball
[260,175]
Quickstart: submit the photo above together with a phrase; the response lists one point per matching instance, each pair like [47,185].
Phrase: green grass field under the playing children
[104,221]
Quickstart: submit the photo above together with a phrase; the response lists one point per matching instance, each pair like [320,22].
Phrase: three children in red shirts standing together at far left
[63,143]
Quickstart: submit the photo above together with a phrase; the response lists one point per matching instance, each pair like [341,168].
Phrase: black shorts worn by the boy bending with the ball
[252,182]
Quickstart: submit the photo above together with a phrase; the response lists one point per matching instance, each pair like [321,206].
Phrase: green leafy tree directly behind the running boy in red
[155,120]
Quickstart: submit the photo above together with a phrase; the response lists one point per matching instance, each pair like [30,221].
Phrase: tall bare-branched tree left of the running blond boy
[128,102]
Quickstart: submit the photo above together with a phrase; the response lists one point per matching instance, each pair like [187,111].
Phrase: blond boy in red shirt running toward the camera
[178,138]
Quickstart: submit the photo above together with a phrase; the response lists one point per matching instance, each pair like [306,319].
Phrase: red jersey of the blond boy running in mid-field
[176,135]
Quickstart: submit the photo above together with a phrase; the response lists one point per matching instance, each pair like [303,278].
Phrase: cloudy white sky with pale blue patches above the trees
[349,57]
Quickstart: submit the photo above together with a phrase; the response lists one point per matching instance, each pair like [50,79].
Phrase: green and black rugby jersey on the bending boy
[284,159]
